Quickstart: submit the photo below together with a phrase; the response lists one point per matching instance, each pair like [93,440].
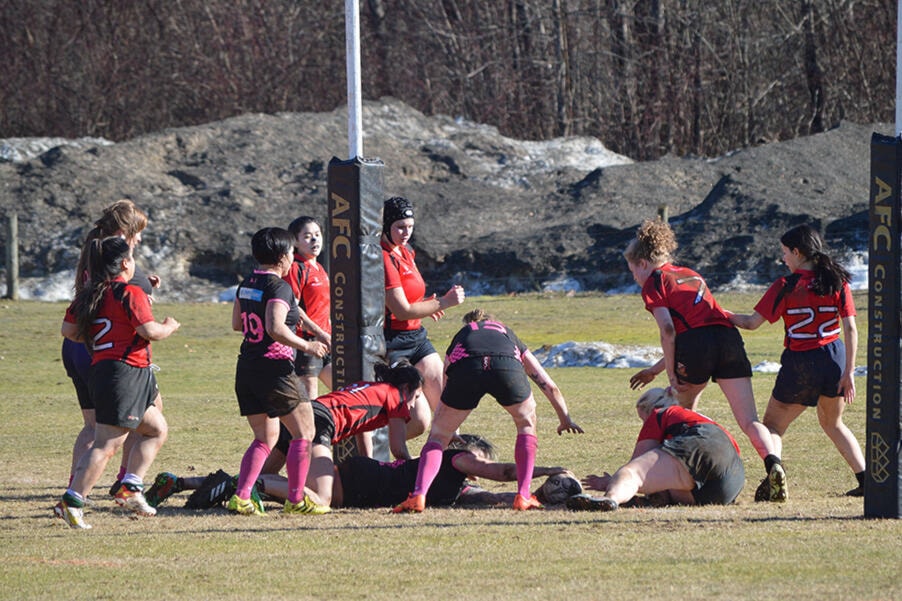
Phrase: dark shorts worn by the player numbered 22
[805,376]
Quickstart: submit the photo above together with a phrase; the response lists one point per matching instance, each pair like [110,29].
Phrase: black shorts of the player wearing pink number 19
[267,386]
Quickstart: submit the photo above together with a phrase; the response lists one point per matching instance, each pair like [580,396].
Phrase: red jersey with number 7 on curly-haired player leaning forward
[686,295]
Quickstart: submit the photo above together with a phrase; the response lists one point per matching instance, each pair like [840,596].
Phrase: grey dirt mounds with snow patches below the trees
[494,213]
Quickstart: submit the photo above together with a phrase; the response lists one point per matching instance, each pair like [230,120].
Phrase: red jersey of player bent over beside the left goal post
[363,407]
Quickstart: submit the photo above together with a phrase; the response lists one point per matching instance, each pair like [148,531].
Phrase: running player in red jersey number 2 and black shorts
[114,320]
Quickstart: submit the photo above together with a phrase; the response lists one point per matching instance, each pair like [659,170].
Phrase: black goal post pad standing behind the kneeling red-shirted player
[356,273]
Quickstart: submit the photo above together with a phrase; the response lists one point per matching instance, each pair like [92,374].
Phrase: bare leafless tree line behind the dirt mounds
[646,77]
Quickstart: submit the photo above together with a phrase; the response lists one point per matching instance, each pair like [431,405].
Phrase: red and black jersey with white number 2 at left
[123,308]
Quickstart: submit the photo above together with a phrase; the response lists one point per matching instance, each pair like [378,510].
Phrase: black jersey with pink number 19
[254,294]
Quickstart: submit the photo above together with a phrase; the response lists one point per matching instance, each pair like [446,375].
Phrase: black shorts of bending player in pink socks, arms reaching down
[469,379]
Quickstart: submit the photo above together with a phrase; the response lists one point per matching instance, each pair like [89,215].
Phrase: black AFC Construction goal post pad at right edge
[882,481]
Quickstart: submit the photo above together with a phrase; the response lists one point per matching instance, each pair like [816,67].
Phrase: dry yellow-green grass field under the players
[816,546]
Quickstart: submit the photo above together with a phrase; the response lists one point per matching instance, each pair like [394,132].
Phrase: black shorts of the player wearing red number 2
[122,393]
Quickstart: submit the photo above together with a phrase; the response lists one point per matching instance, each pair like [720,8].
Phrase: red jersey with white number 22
[810,320]
